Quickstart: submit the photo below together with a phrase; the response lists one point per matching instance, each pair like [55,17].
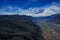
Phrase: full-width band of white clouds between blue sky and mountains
[48,10]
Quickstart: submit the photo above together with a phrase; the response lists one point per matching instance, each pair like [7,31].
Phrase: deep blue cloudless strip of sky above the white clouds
[26,3]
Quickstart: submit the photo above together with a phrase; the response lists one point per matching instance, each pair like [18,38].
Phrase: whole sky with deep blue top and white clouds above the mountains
[35,8]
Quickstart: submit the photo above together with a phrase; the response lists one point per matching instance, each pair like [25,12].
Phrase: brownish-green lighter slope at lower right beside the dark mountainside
[50,30]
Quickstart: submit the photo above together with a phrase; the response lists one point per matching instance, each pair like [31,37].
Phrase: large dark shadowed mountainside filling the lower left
[18,28]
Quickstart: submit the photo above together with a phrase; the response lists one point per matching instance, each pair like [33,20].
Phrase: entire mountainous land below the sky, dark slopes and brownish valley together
[21,27]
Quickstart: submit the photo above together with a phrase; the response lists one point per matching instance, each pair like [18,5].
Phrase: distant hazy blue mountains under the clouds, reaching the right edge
[53,18]
